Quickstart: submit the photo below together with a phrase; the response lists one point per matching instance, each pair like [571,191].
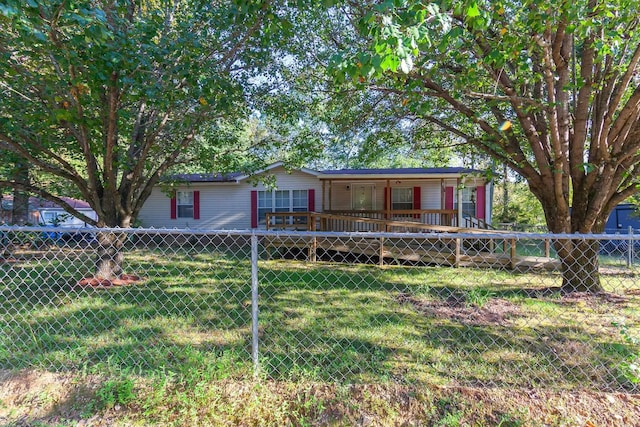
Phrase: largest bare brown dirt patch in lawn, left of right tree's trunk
[496,311]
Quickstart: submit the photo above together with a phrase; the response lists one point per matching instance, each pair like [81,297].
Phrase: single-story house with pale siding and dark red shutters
[445,196]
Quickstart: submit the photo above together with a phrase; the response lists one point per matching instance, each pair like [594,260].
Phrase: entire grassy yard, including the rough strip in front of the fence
[342,339]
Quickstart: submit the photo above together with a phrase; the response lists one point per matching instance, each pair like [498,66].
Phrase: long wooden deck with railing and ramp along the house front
[454,252]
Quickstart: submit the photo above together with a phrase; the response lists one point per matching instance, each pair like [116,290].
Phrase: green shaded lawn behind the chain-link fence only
[190,321]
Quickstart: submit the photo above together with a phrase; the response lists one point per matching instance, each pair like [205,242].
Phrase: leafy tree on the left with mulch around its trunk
[109,95]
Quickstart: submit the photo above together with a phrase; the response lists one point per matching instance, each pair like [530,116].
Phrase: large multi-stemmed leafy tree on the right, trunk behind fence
[549,88]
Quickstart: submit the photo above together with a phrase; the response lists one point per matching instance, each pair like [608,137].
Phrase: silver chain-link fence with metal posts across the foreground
[466,309]
